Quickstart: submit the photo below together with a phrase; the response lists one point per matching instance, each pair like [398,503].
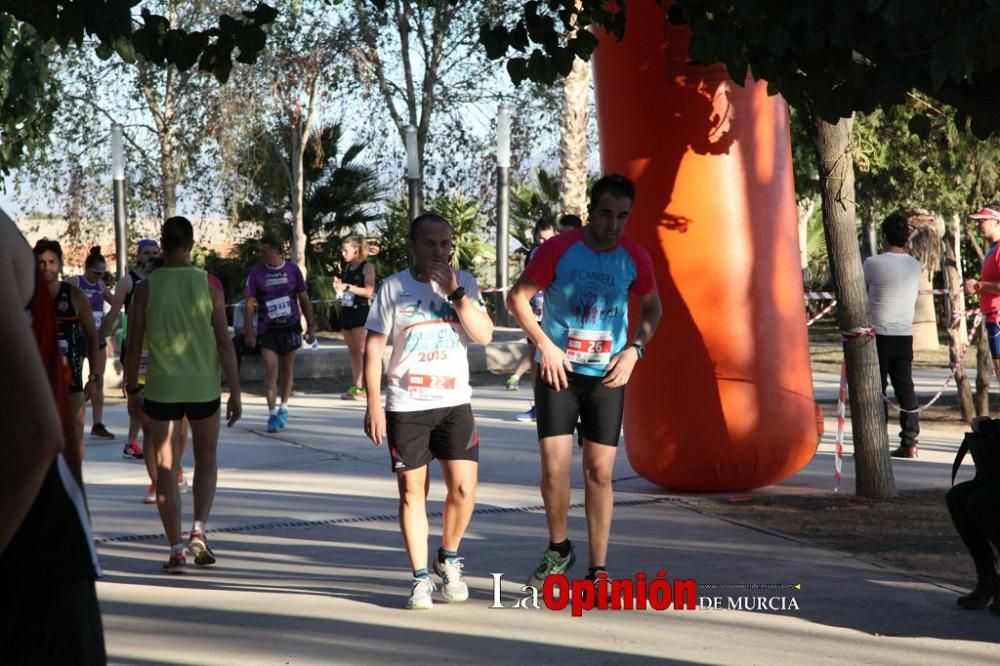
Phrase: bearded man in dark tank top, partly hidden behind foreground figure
[73,316]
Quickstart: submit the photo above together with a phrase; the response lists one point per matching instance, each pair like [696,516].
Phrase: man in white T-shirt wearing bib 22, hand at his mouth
[429,312]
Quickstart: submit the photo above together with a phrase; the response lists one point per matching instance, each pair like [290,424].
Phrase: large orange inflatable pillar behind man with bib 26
[723,400]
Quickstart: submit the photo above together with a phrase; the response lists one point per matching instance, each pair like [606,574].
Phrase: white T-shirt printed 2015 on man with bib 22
[429,366]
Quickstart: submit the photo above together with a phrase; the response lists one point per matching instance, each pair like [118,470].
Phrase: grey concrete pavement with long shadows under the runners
[312,569]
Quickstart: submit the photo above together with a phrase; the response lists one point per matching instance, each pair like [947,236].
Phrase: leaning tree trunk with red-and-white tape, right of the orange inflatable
[873,470]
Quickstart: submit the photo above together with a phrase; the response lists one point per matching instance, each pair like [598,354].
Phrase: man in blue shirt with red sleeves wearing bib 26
[585,358]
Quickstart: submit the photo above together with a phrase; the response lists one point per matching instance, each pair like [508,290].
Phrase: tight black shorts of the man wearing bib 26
[598,407]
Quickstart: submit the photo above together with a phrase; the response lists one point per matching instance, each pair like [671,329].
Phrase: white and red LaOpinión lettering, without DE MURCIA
[639,592]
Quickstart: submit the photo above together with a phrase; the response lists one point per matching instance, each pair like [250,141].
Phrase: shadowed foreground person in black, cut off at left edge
[48,565]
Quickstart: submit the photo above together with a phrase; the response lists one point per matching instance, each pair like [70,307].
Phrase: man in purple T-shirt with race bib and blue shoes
[276,293]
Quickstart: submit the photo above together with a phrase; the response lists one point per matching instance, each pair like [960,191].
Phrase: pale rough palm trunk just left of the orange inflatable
[573,140]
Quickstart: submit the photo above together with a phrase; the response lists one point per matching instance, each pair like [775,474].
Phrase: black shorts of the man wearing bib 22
[445,433]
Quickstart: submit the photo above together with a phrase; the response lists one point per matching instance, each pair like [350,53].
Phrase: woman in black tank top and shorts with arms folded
[356,289]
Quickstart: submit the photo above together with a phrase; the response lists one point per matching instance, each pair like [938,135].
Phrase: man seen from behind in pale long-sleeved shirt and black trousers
[893,279]
